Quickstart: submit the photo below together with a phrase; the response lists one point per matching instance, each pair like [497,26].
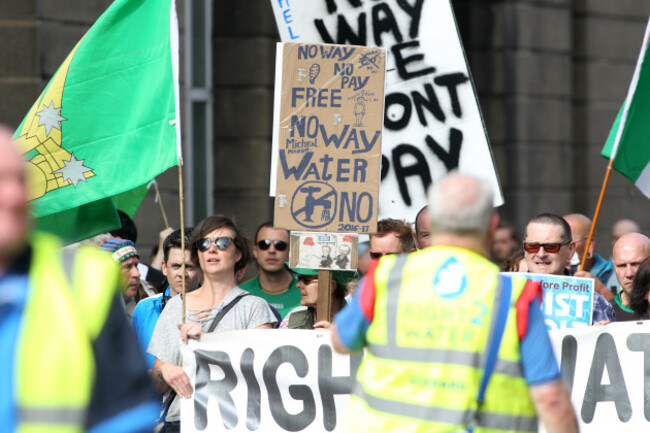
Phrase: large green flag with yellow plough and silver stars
[107,123]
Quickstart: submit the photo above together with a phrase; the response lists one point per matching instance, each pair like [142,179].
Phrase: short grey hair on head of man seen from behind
[461,205]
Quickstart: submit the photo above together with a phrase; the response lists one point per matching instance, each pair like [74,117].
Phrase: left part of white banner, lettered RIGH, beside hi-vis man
[266,381]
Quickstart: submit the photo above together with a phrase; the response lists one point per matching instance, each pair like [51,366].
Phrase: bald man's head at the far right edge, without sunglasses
[629,251]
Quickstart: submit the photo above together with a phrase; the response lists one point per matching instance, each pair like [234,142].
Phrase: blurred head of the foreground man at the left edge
[13,197]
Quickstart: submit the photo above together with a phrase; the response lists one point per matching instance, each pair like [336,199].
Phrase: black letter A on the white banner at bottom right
[605,355]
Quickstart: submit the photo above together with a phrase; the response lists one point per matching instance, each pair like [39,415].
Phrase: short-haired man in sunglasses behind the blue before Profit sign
[548,248]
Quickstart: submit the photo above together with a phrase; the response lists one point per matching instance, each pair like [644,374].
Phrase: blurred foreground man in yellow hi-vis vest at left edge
[68,360]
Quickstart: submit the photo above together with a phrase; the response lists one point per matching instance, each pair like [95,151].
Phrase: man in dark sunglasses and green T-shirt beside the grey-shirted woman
[274,283]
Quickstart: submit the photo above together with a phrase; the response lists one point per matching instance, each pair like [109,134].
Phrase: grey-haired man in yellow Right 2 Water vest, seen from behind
[452,346]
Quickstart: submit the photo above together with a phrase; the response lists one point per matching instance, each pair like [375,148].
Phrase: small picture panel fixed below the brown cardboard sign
[315,250]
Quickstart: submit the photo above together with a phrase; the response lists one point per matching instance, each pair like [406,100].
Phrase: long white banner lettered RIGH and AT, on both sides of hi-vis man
[292,380]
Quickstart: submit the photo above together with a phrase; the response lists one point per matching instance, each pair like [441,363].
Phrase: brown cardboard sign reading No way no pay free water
[327,137]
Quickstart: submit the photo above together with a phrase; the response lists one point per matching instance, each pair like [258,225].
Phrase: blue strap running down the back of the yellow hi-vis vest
[505,288]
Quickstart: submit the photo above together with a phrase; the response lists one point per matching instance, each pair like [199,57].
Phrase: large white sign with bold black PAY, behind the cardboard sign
[432,121]
